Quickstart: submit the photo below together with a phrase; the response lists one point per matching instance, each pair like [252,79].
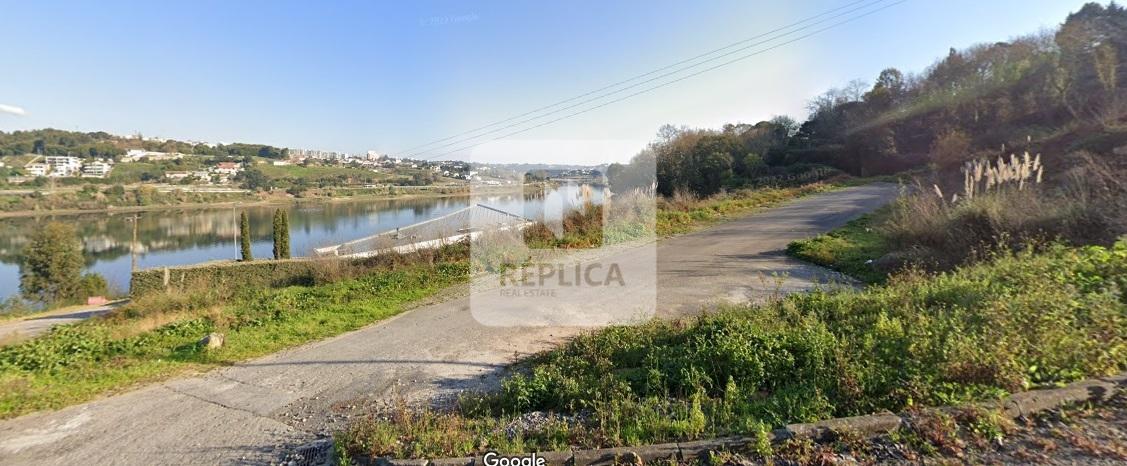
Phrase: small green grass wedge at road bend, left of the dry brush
[850,250]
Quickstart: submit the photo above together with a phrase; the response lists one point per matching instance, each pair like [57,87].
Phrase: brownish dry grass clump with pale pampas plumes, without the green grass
[1007,205]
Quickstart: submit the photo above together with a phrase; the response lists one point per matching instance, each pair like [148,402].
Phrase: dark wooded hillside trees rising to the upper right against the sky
[1070,89]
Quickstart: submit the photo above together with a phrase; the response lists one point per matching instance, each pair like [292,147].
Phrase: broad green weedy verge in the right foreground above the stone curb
[1017,322]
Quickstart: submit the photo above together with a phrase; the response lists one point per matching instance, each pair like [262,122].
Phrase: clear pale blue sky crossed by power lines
[391,76]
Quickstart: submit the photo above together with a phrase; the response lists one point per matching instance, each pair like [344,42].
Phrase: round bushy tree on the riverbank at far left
[52,265]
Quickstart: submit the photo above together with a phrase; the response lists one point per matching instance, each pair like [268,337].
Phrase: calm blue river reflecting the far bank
[191,236]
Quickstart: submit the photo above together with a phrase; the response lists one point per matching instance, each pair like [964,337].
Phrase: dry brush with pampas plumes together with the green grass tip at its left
[937,230]
